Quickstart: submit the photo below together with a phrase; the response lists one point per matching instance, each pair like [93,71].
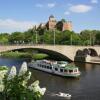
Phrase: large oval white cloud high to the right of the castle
[80,8]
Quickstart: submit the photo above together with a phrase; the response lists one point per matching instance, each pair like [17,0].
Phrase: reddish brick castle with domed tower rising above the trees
[54,24]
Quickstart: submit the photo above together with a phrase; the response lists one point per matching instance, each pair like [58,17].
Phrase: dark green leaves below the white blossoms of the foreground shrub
[15,90]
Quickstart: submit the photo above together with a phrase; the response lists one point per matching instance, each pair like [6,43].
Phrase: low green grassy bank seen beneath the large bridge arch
[17,54]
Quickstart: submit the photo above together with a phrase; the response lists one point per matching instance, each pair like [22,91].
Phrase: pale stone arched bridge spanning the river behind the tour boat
[71,52]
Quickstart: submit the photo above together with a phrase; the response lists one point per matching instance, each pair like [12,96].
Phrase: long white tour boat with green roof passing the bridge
[61,68]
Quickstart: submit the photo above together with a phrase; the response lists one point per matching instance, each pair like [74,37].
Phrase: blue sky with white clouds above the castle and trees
[20,15]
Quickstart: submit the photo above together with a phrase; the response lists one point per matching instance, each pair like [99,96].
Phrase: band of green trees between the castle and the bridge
[44,36]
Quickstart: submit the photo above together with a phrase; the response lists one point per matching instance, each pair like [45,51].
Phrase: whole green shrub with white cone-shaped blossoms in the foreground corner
[15,86]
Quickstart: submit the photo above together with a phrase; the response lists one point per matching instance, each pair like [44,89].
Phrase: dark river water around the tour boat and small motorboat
[87,87]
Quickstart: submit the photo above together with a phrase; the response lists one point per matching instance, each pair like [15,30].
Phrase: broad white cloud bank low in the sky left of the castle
[12,25]
